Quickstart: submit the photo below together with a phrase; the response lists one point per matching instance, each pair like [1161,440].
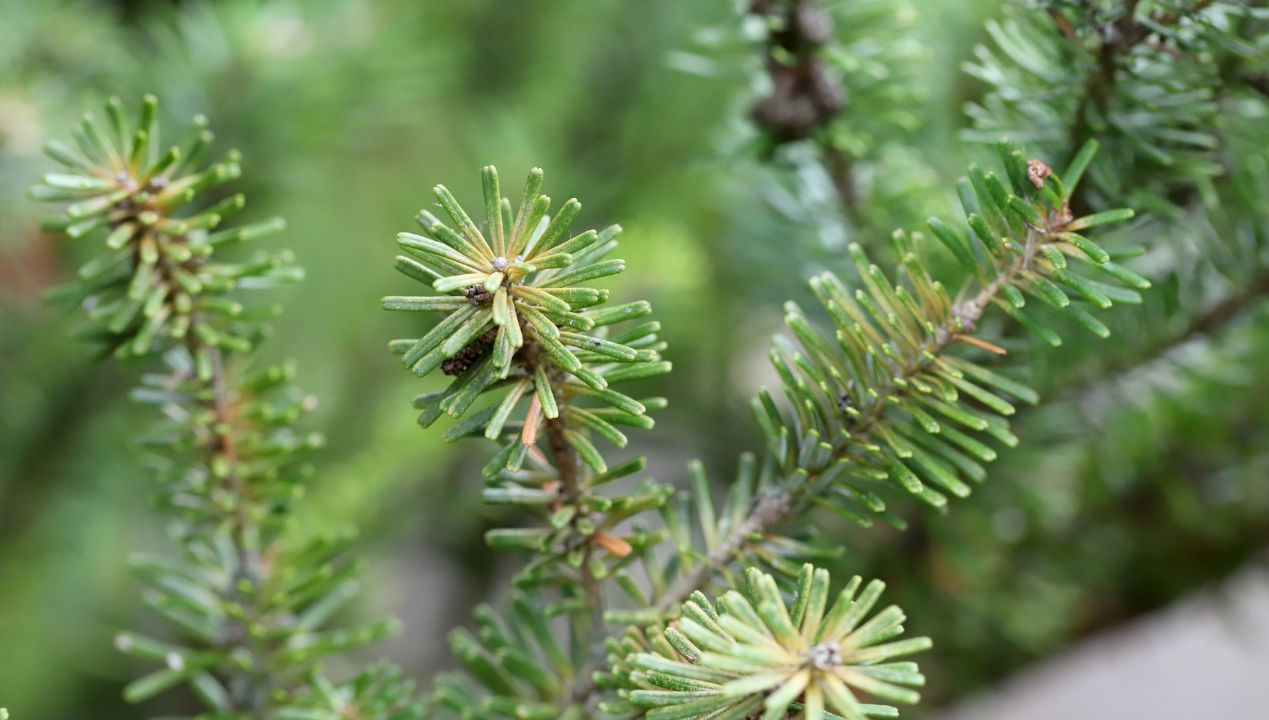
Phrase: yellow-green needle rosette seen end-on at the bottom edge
[752,655]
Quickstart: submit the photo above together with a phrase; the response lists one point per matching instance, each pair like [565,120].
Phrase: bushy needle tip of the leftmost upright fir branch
[158,284]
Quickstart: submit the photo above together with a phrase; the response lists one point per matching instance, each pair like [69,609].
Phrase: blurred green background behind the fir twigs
[350,111]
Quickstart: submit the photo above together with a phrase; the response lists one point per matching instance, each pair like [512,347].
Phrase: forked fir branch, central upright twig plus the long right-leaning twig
[848,420]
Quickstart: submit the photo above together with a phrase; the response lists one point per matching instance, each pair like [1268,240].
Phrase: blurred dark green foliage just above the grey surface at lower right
[1131,464]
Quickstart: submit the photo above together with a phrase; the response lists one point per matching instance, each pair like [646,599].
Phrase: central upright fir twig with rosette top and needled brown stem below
[518,326]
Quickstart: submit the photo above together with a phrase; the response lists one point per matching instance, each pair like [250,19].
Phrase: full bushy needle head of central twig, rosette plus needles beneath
[517,319]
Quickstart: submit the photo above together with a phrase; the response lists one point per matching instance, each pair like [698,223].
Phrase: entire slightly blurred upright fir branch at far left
[252,606]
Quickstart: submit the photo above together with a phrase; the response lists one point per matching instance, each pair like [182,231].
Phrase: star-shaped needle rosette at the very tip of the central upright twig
[518,283]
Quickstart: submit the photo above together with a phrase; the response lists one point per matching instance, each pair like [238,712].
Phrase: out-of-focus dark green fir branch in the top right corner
[1141,78]
